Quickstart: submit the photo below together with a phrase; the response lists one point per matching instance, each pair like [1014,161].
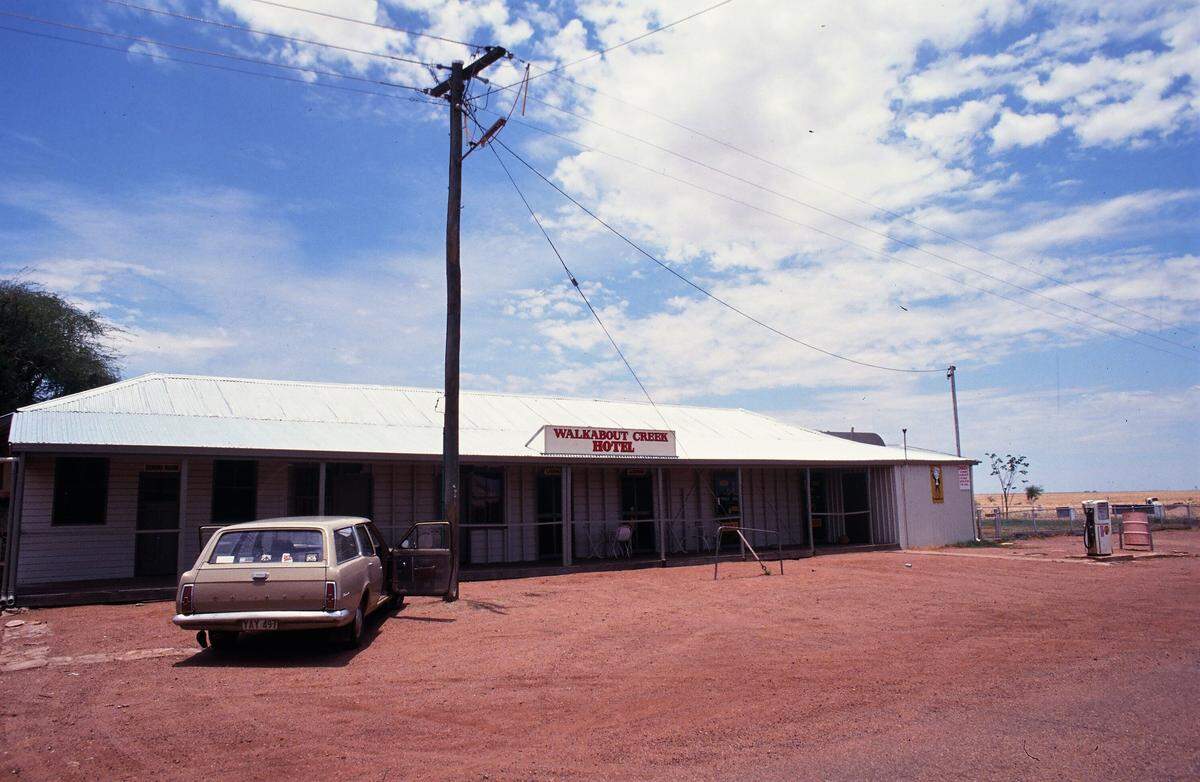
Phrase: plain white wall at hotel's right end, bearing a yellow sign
[925,522]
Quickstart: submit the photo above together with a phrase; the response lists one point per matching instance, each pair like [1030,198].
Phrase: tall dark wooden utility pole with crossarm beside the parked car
[455,89]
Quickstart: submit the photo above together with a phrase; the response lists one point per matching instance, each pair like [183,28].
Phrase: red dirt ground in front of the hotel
[847,667]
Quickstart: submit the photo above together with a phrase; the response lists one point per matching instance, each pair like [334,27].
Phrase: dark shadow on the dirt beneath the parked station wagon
[291,649]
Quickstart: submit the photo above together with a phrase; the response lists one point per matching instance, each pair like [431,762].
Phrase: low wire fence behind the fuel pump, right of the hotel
[1035,521]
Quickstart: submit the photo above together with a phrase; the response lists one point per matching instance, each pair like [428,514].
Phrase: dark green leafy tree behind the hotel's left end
[49,347]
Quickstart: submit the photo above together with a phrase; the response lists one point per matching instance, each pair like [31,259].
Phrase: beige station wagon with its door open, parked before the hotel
[308,574]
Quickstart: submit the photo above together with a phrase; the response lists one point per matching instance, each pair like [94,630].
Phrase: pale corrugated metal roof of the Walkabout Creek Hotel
[202,413]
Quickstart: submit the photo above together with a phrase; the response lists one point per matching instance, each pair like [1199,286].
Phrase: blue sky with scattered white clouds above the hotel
[1009,187]
